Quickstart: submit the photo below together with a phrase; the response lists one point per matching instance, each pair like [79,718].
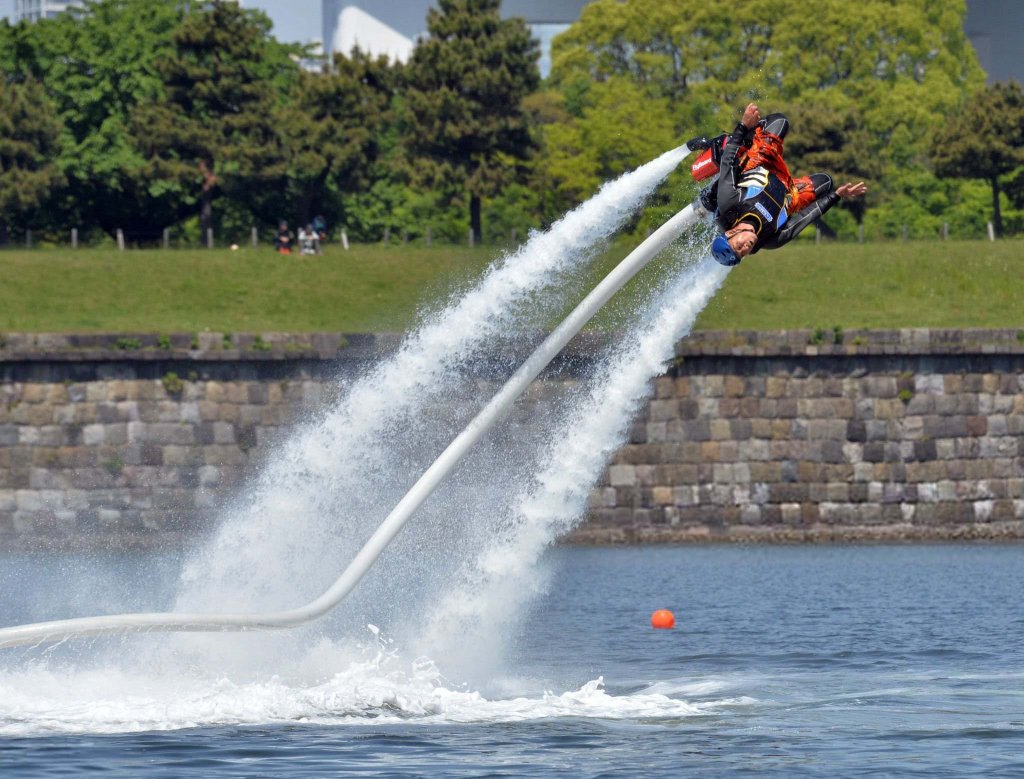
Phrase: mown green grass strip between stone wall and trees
[373,288]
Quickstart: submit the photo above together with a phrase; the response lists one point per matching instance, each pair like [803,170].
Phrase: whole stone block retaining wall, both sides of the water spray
[782,437]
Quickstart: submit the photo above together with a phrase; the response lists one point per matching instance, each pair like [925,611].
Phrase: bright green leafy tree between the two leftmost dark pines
[98,65]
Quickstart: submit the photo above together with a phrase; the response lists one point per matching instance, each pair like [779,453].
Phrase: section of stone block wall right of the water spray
[791,437]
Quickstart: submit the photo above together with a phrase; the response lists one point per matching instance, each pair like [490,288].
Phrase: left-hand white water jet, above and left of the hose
[325,489]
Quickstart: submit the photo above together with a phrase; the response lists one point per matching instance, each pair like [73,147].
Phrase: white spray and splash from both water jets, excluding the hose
[419,635]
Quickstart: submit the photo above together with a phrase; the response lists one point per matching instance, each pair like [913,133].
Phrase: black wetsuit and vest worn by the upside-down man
[758,197]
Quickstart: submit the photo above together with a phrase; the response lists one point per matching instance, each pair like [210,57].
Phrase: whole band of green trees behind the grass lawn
[189,114]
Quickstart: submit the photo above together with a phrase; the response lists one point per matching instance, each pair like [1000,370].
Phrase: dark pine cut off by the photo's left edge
[29,134]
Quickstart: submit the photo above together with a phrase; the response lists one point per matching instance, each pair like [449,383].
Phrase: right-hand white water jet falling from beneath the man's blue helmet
[505,576]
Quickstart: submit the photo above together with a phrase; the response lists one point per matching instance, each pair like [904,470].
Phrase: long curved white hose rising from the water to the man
[499,406]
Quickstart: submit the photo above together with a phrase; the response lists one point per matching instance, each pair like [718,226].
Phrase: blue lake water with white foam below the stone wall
[805,661]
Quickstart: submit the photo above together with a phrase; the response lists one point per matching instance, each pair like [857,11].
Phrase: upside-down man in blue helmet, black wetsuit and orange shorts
[755,200]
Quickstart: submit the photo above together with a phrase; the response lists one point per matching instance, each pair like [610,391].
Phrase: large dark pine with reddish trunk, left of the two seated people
[216,133]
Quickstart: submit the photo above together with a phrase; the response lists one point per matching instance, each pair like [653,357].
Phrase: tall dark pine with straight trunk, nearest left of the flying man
[466,84]
